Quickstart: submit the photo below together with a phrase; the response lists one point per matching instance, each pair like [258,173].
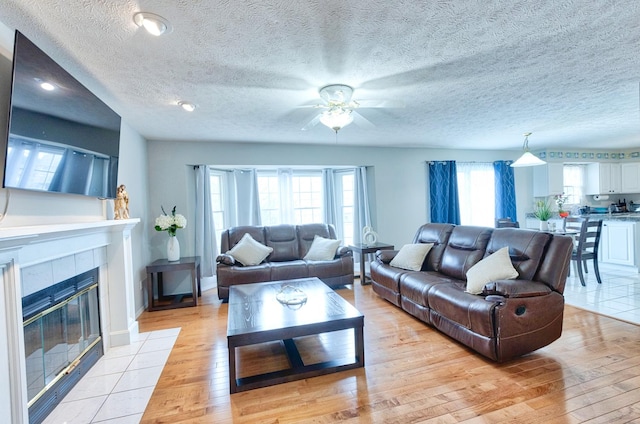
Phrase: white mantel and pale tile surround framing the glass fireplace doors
[36,256]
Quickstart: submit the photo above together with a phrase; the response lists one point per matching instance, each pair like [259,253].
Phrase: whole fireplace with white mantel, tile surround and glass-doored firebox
[88,269]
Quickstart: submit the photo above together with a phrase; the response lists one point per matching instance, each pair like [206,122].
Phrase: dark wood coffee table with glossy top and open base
[256,316]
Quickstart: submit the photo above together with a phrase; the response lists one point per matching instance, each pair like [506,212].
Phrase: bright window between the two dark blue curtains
[476,193]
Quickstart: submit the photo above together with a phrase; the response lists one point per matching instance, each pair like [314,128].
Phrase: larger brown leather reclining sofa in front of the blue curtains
[510,317]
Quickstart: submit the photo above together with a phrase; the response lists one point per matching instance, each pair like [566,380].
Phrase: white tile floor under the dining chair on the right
[618,296]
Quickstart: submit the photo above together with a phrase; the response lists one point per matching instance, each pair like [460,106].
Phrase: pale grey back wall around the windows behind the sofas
[399,179]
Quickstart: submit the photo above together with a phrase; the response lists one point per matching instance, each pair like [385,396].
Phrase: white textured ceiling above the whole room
[471,74]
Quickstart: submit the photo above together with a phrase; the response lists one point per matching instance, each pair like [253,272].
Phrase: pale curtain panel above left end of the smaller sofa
[247,205]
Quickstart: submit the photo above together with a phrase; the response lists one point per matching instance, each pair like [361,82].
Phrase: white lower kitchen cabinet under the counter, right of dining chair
[618,243]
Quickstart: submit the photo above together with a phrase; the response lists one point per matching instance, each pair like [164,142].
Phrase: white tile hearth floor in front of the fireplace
[119,386]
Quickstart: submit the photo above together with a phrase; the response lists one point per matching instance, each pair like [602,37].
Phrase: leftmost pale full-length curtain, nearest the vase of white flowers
[206,246]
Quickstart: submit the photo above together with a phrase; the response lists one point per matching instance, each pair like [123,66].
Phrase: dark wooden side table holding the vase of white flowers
[154,275]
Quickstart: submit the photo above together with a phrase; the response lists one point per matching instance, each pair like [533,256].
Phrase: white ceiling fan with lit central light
[339,108]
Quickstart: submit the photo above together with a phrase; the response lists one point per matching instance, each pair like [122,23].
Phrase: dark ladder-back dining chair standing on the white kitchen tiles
[586,245]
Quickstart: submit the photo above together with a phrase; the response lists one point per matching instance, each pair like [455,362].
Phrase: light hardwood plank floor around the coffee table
[413,374]
